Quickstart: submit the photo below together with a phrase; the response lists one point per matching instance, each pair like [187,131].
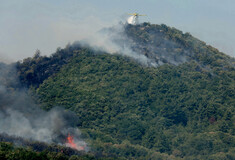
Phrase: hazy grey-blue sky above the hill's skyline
[27,25]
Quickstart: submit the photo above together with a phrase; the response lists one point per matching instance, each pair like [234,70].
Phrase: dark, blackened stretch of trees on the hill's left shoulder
[33,71]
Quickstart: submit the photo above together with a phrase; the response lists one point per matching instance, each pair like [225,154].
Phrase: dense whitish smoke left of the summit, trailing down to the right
[114,40]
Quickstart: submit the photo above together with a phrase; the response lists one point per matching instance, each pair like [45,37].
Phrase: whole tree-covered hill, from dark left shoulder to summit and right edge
[181,109]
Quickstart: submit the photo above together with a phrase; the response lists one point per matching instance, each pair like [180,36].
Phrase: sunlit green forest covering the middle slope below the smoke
[121,100]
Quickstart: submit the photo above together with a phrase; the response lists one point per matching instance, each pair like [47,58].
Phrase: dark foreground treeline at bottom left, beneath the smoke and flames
[17,148]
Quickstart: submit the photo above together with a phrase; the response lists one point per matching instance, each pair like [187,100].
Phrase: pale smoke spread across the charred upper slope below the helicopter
[158,50]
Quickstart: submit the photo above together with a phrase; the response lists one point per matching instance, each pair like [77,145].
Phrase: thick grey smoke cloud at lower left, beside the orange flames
[20,116]
